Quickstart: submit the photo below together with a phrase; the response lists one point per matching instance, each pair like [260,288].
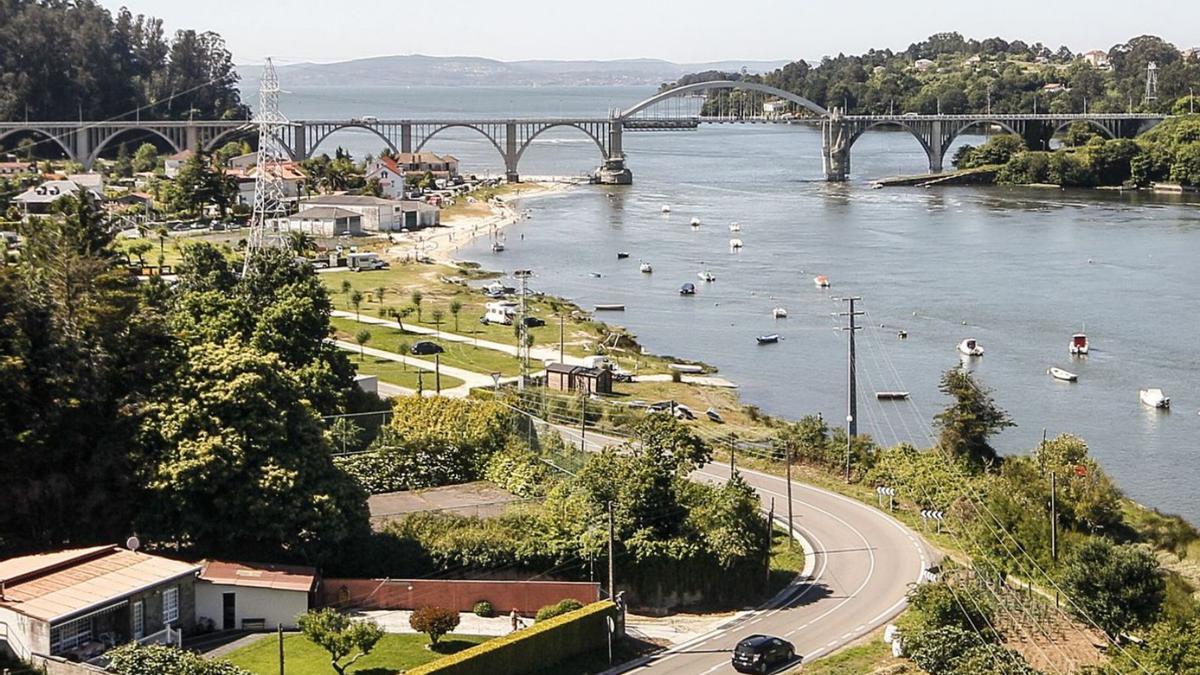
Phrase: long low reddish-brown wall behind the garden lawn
[527,598]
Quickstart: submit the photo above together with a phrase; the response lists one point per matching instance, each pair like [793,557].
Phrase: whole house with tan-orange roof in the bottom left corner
[77,604]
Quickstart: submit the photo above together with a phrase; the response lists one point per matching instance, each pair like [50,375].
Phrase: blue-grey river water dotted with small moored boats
[1021,270]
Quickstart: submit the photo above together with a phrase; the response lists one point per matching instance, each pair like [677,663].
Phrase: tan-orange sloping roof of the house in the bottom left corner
[58,586]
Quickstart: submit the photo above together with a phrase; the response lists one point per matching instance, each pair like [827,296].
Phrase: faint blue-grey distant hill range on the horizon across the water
[412,70]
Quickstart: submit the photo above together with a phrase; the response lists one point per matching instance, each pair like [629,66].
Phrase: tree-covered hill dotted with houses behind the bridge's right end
[958,75]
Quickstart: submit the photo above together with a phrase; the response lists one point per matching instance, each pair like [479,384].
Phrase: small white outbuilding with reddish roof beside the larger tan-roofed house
[249,596]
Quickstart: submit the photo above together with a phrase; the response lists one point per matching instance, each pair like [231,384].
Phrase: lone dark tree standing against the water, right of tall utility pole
[970,421]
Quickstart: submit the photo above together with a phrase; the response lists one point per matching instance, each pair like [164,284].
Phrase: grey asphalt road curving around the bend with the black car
[863,563]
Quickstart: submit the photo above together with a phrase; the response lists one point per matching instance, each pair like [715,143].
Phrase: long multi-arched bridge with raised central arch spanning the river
[682,109]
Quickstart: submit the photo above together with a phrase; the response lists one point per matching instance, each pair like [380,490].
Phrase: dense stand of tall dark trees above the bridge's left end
[61,61]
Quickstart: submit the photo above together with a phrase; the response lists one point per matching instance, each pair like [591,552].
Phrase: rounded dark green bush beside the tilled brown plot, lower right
[1117,587]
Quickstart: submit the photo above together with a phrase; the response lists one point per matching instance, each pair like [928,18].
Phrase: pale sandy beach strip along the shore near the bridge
[442,243]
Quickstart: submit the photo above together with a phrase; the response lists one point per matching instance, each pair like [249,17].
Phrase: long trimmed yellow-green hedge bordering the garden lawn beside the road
[539,647]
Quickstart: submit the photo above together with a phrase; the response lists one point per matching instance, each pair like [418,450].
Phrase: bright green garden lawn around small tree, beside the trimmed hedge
[394,654]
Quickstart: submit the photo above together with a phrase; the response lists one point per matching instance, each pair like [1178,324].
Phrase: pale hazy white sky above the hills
[679,31]
